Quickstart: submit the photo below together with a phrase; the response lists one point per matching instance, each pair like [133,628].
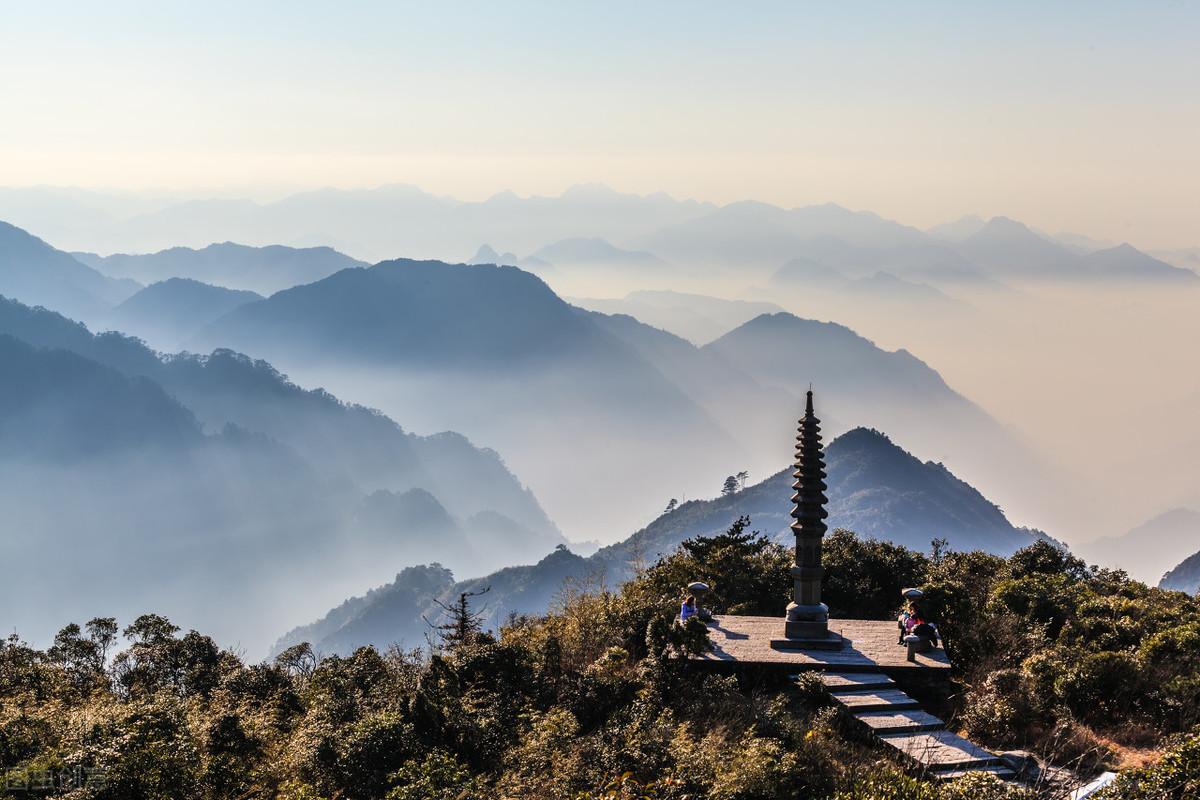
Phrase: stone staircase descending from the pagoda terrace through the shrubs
[919,738]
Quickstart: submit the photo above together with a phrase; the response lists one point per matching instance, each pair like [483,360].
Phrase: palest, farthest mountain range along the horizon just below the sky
[391,220]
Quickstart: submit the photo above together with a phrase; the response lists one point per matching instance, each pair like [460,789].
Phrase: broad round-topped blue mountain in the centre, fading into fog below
[494,350]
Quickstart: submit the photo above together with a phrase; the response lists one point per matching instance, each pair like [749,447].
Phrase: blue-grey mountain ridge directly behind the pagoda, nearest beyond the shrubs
[875,489]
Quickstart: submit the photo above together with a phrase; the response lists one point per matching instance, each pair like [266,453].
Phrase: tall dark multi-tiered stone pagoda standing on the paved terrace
[808,618]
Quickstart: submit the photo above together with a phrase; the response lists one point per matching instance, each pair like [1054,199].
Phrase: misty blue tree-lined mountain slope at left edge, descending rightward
[187,474]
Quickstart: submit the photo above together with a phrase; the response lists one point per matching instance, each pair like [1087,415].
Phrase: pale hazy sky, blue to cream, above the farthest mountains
[1073,117]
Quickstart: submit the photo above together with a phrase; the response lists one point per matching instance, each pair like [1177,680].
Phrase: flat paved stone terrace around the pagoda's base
[873,647]
